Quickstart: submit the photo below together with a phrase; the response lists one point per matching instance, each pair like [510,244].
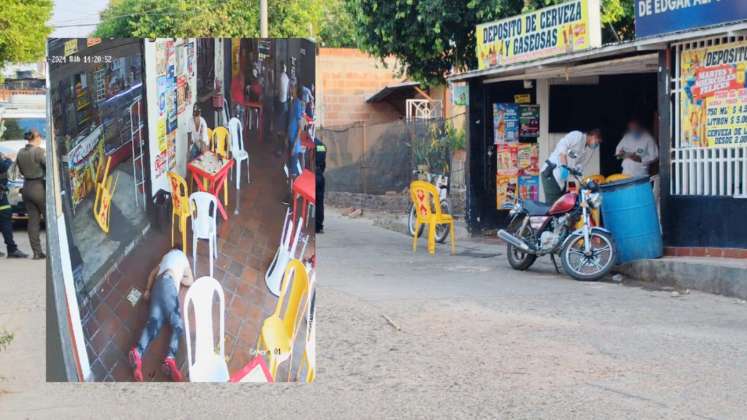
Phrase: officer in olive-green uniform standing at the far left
[32,164]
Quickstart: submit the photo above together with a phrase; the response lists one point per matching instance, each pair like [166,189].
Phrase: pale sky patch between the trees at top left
[75,12]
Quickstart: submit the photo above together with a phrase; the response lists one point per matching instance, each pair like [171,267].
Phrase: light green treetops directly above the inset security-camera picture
[219,18]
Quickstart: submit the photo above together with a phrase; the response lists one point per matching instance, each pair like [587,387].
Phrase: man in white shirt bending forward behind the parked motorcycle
[572,151]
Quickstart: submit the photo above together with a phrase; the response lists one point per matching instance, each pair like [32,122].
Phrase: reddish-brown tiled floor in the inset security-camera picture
[247,244]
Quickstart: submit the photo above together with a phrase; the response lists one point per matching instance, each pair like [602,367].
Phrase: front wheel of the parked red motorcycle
[592,266]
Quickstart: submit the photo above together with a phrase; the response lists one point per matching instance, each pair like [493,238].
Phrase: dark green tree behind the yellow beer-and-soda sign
[431,37]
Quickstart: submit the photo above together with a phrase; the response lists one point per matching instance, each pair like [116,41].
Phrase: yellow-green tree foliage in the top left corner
[23,30]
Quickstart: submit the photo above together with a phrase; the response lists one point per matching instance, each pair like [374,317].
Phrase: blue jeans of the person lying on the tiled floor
[164,306]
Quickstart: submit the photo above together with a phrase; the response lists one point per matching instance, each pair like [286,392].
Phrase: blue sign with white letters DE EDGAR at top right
[654,17]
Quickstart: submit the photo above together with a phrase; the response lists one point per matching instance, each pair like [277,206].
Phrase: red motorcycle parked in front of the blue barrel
[566,228]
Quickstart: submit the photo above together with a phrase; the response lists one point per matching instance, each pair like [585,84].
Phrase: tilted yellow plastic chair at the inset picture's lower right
[278,333]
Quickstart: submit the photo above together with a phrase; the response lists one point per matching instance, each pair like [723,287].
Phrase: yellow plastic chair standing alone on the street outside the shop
[425,198]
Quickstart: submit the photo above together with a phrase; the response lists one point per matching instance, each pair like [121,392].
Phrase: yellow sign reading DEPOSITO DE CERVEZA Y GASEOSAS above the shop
[563,28]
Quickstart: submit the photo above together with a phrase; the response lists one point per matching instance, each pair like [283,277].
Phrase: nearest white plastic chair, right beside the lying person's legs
[208,363]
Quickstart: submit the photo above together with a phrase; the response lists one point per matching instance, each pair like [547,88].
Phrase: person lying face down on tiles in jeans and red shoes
[163,293]
